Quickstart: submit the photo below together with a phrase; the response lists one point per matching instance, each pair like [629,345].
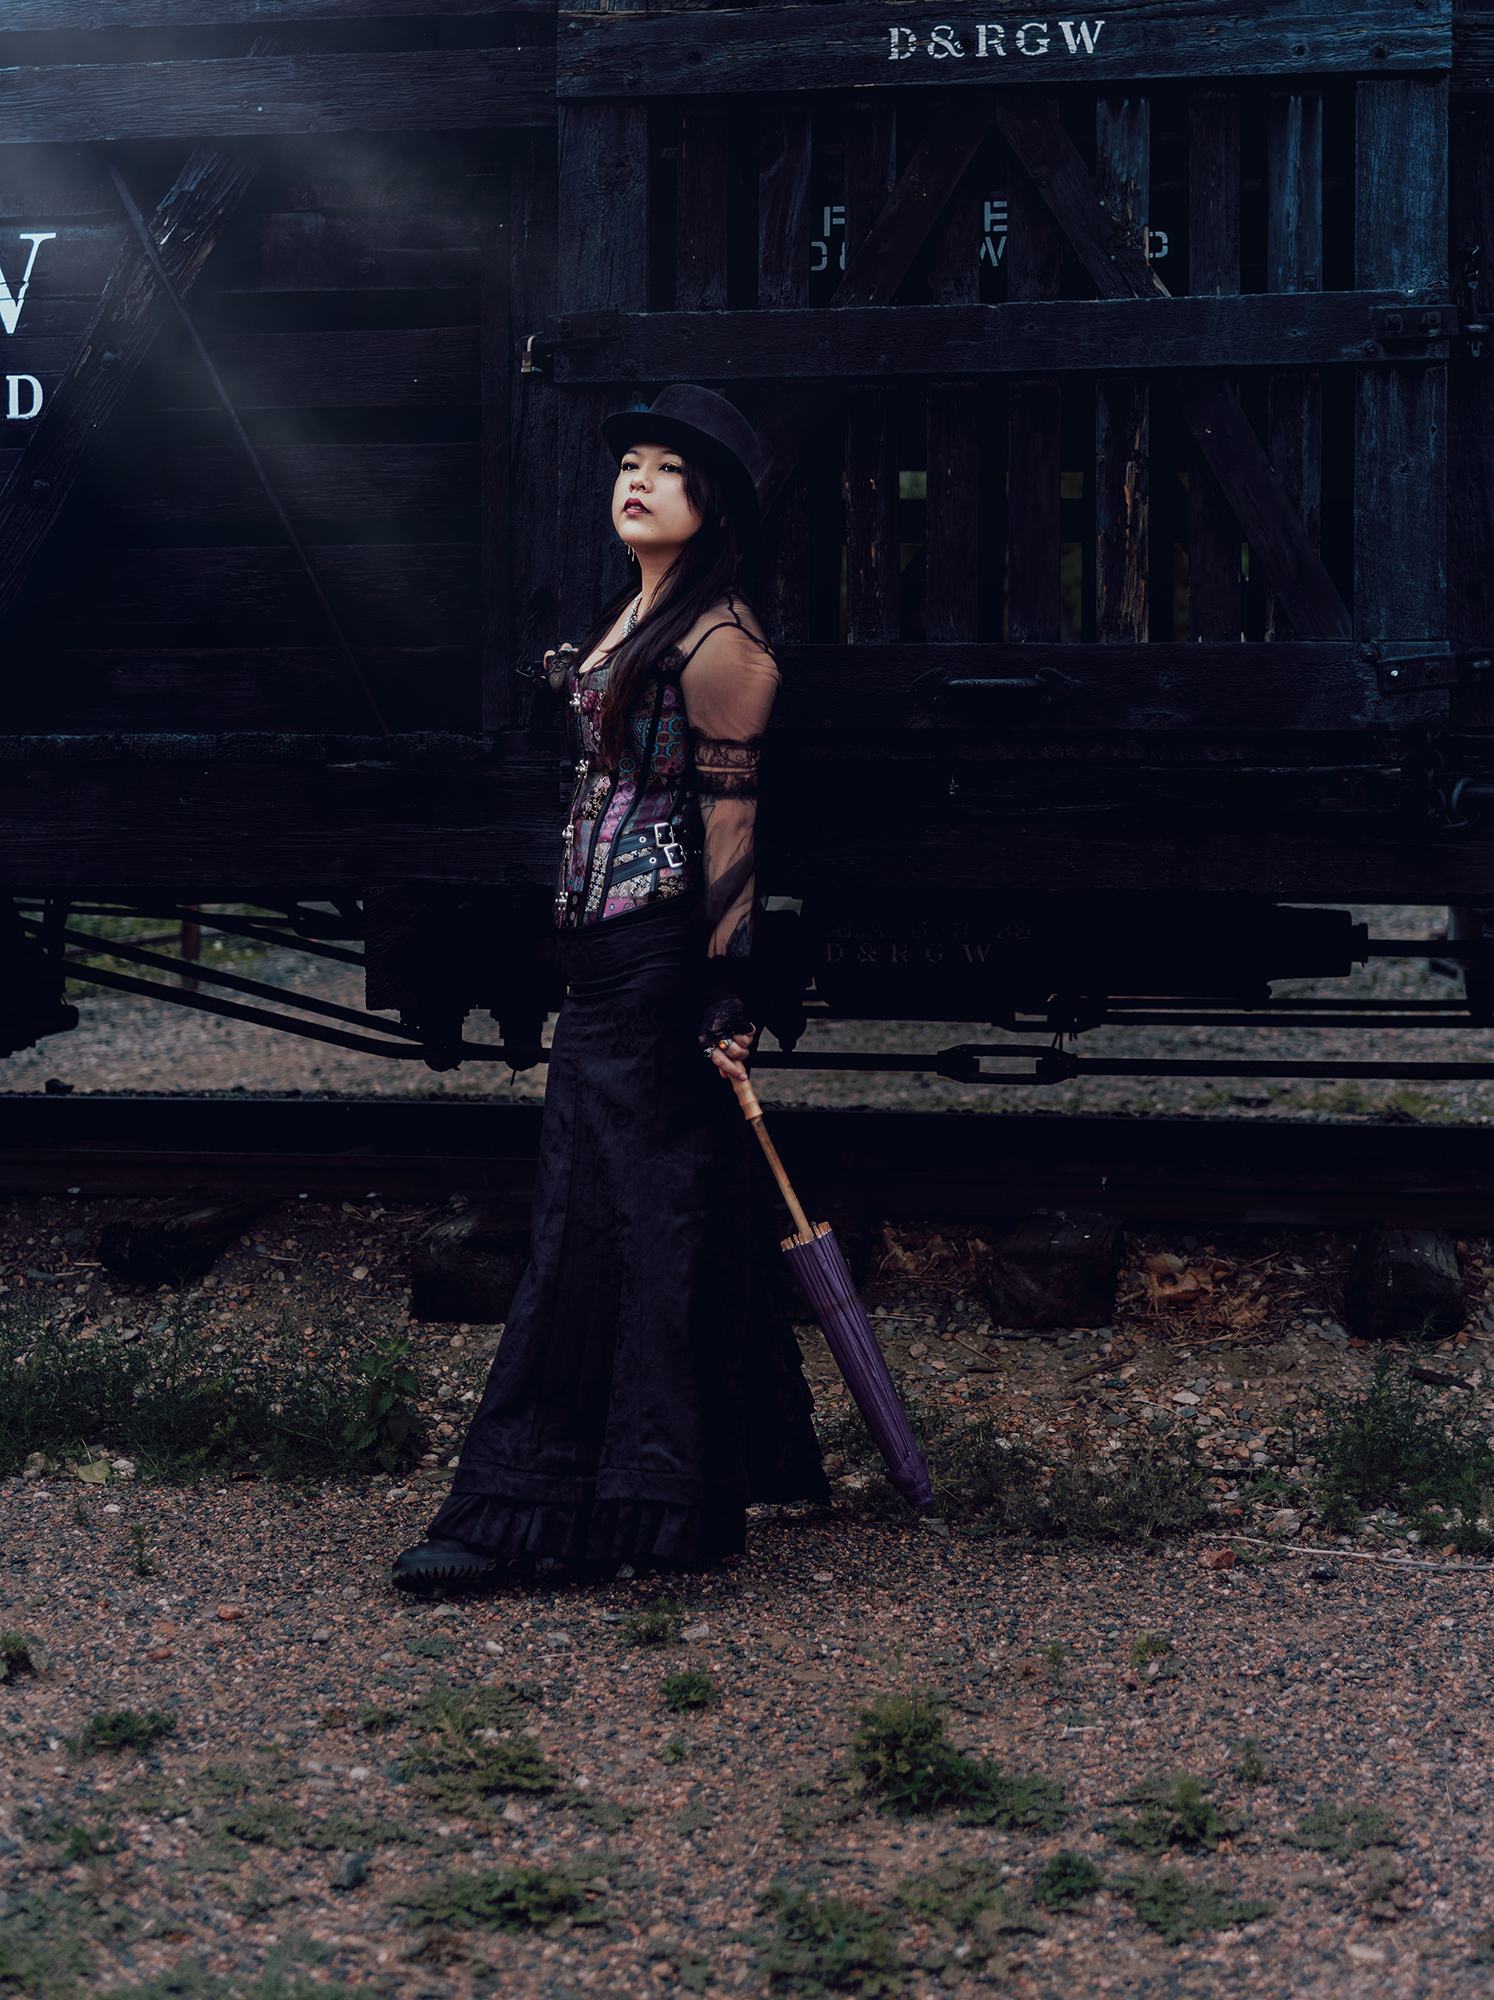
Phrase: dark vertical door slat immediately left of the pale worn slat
[1035,257]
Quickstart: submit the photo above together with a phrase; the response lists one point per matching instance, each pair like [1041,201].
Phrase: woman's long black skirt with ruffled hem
[649,1383]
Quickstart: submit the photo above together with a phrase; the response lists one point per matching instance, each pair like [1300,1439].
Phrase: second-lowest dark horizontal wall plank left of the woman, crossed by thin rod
[383,591]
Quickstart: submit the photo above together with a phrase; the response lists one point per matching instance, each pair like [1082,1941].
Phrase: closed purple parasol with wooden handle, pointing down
[819,1271]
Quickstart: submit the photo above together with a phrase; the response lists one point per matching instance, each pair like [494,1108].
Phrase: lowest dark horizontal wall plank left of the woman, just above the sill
[241,689]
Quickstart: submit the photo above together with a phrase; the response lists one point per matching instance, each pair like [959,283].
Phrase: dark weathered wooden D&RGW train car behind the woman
[1129,407]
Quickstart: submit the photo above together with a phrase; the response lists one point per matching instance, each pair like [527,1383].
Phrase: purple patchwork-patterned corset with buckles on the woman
[633,837]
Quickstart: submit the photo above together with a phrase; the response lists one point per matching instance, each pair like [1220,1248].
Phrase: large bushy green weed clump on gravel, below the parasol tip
[903,1757]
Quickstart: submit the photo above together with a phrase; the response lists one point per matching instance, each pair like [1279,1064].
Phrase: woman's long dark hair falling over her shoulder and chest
[705,571]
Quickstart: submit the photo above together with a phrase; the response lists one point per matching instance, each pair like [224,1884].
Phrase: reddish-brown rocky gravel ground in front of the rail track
[441,1795]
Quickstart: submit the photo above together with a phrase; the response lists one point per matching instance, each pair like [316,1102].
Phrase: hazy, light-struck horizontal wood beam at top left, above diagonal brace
[261,97]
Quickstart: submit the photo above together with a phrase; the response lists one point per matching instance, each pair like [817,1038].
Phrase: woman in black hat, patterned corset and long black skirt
[649,1385]
